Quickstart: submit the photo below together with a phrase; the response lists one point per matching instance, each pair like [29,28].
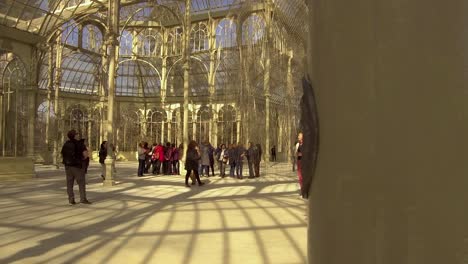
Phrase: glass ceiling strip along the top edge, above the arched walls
[42,16]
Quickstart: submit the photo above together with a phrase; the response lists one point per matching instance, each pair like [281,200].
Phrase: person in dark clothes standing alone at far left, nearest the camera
[73,153]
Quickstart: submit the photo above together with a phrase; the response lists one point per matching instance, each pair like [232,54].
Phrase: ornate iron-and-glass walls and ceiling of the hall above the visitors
[158,70]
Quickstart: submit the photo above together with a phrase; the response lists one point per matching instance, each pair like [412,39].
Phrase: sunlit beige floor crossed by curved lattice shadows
[154,219]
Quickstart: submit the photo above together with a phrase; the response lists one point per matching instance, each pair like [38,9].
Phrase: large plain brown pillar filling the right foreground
[391,86]
